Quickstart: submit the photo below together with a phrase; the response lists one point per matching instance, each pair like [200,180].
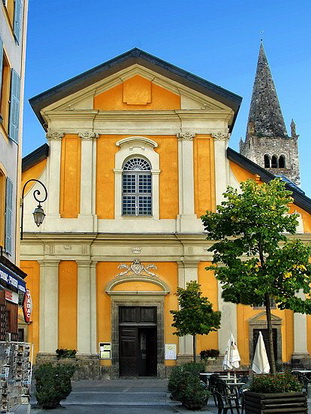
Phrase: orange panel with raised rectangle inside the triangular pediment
[136,93]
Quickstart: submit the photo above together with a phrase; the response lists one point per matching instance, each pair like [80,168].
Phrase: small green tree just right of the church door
[196,315]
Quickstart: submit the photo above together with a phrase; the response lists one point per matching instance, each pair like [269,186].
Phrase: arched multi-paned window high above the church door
[136,188]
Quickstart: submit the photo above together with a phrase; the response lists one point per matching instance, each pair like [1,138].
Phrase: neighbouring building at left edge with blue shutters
[13,23]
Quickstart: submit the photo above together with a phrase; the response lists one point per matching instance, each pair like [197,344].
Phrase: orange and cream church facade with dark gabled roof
[137,150]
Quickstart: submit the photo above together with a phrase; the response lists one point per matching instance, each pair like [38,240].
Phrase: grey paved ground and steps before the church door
[130,396]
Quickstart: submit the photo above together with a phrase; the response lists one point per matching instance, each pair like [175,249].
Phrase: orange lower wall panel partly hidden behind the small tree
[209,288]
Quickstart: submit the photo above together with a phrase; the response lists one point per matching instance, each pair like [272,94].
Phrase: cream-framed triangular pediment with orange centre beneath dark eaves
[136,88]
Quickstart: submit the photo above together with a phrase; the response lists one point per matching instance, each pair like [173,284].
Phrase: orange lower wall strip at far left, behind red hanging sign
[32,268]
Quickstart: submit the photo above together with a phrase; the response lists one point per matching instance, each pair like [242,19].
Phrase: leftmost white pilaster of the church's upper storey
[55,141]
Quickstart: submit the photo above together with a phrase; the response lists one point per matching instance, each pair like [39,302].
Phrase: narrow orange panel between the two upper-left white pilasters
[70,173]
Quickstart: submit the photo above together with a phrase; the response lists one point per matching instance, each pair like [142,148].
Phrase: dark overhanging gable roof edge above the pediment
[134,56]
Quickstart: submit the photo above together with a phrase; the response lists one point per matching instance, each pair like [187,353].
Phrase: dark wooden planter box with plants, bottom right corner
[268,392]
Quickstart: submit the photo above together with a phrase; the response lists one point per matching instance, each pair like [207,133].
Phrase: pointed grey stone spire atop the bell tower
[265,116]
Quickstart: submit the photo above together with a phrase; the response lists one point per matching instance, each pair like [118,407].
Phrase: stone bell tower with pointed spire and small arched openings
[267,142]
